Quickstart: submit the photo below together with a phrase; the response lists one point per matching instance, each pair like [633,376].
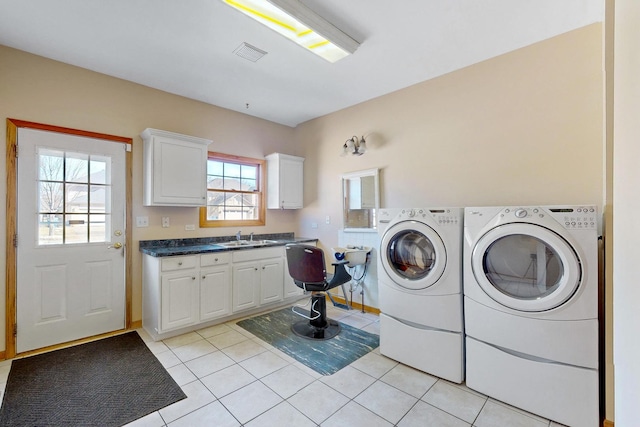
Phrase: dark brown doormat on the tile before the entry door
[104,383]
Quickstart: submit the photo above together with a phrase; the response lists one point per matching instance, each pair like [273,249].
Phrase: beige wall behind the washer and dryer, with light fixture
[524,128]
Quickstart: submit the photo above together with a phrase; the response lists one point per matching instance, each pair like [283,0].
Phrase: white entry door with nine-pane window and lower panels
[70,238]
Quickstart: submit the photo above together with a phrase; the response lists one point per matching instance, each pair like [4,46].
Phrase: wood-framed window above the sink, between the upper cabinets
[235,191]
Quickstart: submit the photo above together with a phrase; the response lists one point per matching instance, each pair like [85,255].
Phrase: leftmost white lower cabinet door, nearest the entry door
[179,300]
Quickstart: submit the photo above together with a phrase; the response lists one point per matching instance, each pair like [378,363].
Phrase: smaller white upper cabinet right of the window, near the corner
[284,181]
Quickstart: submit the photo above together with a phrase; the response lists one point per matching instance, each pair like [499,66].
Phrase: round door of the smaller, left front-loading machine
[413,255]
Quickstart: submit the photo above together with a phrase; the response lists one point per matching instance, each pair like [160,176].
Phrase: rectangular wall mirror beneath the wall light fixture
[360,199]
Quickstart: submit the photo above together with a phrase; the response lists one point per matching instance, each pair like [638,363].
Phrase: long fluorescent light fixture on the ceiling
[297,22]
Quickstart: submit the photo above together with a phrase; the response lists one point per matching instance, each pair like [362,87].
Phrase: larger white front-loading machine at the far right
[531,309]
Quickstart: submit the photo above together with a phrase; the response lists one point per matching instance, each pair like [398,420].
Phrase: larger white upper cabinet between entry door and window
[175,169]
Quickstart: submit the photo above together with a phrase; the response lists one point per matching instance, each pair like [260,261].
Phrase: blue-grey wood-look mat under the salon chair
[325,357]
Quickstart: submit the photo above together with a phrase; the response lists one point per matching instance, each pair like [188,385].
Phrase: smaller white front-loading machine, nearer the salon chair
[420,290]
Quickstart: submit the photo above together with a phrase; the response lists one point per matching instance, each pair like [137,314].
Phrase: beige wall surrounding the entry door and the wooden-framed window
[40,90]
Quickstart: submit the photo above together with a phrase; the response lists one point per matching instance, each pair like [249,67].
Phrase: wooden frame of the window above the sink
[261,191]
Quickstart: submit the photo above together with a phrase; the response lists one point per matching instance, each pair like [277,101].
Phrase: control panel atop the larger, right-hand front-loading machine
[571,217]
